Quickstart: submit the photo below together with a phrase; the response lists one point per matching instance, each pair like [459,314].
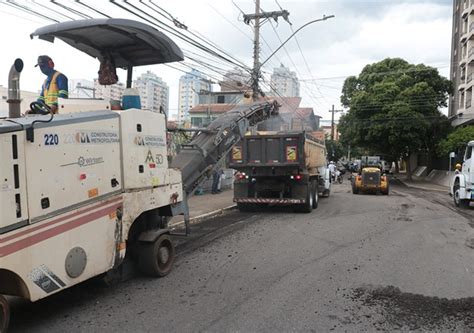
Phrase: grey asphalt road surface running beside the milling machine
[357,262]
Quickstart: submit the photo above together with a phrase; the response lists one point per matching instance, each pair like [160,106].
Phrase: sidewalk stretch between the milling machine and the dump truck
[206,206]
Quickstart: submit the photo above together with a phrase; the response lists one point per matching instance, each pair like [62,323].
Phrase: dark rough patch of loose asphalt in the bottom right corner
[416,312]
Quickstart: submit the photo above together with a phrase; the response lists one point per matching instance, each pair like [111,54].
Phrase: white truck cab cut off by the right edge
[462,185]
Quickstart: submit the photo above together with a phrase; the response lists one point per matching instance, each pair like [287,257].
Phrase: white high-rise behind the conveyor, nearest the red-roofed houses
[190,85]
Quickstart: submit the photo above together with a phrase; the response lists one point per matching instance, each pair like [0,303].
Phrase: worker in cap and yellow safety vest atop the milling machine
[55,84]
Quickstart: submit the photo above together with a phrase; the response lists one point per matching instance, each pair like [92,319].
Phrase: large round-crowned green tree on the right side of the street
[394,109]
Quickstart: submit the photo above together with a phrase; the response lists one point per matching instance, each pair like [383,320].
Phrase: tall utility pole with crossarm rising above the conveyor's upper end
[256,46]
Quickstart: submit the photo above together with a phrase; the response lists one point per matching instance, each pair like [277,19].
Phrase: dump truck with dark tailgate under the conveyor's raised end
[280,168]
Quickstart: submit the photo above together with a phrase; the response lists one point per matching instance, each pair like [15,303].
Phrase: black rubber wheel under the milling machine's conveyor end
[157,258]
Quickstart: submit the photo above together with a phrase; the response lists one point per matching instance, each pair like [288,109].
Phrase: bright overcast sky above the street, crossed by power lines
[362,32]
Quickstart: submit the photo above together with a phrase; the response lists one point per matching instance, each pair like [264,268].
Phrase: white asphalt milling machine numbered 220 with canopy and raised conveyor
[85,193]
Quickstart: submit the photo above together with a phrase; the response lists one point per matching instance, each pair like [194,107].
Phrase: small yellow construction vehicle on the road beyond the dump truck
[370,177]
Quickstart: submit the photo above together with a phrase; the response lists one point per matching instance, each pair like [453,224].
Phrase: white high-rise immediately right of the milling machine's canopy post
[154,92]
